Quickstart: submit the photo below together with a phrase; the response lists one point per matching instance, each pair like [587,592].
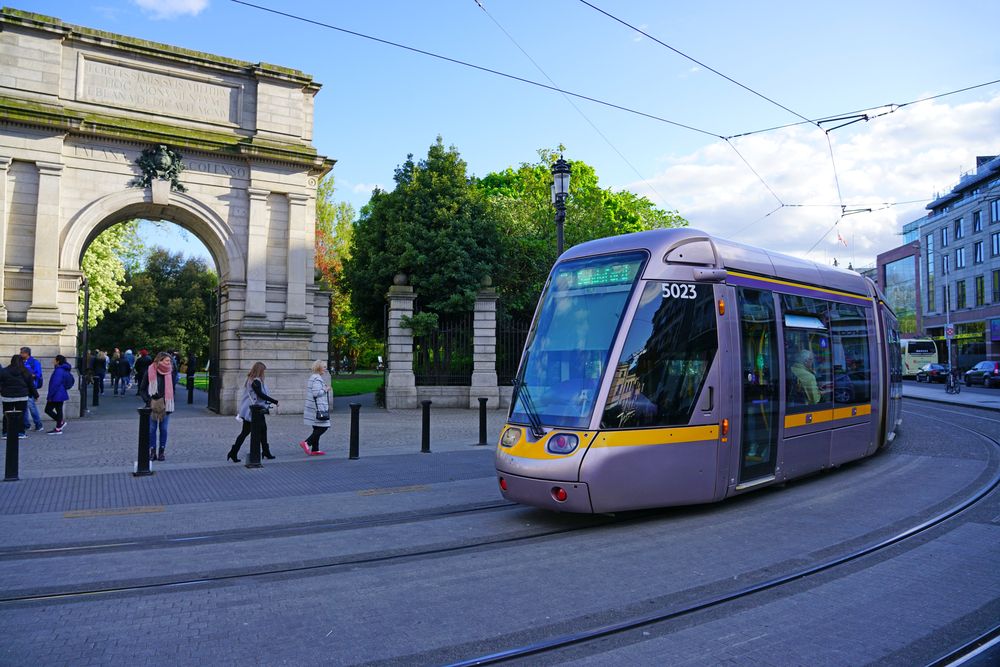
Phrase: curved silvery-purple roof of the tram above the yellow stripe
[715,252]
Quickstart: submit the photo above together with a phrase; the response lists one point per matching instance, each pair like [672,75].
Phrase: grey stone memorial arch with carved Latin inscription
[97,128]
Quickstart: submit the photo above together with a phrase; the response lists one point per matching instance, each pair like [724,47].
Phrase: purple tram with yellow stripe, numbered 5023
[670,367]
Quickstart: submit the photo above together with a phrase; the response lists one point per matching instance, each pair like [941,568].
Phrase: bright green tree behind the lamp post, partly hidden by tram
[520,200]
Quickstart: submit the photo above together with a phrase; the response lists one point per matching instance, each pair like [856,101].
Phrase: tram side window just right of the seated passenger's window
[849,326]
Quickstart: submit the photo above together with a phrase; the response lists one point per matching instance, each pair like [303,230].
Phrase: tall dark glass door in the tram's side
[760,393]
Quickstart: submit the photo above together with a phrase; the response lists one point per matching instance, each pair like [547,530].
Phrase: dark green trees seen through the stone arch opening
[166,309]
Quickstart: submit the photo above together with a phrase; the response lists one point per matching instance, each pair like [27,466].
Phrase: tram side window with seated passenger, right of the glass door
[807,354]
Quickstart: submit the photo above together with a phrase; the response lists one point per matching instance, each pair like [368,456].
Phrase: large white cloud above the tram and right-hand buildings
[912,154]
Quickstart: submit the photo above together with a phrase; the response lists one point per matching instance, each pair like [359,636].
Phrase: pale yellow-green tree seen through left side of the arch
[106,264]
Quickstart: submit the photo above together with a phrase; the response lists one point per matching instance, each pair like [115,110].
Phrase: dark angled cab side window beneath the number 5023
[670,346]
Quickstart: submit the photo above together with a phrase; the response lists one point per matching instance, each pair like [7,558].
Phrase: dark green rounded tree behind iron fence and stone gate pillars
[435,226]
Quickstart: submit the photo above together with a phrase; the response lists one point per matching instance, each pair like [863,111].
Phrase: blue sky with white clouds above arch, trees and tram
[379,103]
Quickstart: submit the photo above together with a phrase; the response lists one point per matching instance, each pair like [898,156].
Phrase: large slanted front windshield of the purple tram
[568,347]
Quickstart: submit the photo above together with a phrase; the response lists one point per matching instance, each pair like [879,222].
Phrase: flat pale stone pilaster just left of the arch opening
[45,272]
